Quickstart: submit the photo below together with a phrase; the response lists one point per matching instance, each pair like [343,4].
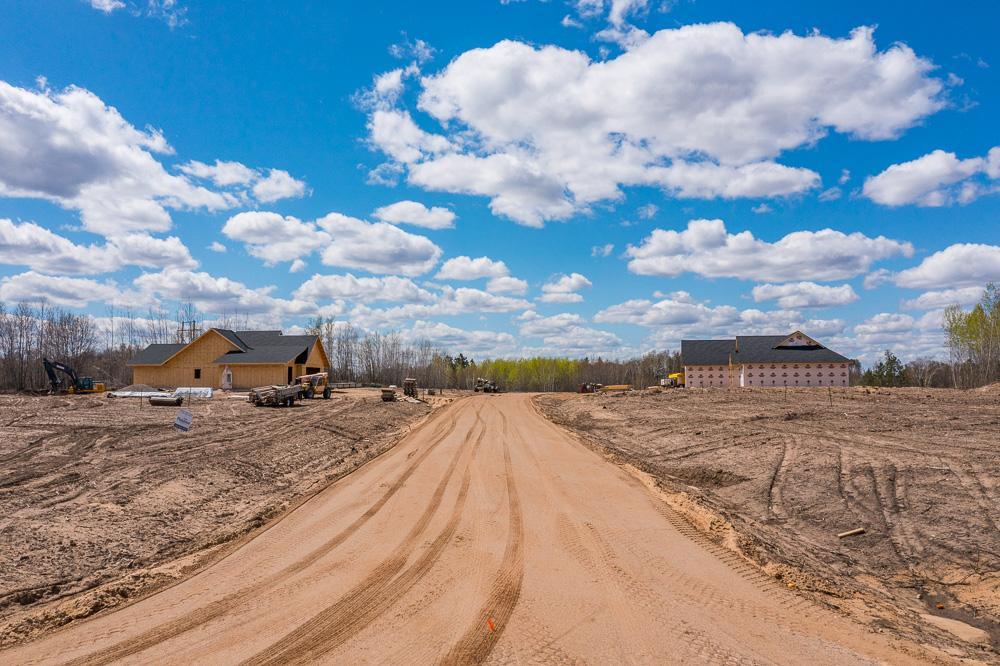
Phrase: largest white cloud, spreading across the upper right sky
[701,111]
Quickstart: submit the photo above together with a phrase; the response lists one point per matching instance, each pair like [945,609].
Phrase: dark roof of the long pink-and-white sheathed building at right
[754,349]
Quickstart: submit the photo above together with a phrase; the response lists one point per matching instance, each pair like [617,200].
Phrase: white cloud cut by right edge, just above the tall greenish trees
[959,265]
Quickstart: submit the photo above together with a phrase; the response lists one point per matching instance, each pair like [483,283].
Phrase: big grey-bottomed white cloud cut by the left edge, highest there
[70,148]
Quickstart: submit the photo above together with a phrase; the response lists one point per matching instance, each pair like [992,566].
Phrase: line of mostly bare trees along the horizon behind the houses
[30,332]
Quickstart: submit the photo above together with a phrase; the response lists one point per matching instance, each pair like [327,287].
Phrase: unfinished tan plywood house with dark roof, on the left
[220,358]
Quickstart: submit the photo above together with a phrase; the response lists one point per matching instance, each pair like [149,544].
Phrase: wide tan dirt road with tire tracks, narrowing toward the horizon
[488,534]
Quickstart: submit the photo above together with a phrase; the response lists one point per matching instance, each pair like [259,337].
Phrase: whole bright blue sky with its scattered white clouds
[564,177]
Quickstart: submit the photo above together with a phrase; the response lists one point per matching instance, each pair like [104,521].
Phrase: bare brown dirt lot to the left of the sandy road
[101,501]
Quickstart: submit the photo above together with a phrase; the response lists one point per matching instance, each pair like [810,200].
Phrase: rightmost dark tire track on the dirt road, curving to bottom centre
[480,637]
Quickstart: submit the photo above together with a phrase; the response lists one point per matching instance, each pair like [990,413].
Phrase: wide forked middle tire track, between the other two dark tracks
[382,588]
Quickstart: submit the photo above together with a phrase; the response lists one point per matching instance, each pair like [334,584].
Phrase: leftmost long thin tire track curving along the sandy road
[224,605]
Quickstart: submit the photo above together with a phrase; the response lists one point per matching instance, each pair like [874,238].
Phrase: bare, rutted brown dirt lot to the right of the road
[777,476]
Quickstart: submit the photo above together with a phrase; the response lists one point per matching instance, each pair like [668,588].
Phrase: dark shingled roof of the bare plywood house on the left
[252,347]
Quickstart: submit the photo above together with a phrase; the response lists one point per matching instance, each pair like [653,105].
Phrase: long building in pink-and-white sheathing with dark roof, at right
[762,360]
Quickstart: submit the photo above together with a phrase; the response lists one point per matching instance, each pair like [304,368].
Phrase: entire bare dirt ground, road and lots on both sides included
[856,525]
